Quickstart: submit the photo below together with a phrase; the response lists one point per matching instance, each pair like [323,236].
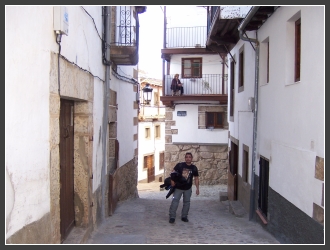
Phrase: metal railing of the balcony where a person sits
[208,84]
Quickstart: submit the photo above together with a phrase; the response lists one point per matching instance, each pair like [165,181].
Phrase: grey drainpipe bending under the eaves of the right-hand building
[255,116]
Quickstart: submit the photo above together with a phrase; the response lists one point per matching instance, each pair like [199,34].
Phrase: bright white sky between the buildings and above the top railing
[151,33]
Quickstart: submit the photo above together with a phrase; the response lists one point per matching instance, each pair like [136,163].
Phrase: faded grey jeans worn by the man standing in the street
[176,200]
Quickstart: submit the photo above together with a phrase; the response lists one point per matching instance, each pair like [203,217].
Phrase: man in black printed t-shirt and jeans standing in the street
[189,173]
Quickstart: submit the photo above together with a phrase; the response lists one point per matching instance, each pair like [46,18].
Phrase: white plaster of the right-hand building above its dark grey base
[290,115]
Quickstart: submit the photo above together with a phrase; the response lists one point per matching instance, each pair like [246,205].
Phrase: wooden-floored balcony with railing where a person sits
[211,87]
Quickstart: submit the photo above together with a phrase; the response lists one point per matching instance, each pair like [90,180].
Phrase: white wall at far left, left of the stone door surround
[27,65]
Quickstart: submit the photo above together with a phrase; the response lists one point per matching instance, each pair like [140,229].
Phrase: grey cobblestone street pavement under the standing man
[144,220]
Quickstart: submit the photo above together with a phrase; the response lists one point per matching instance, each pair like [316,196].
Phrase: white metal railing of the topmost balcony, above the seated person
[186,37]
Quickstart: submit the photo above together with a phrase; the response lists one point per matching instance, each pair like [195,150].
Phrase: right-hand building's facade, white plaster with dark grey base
[290,124]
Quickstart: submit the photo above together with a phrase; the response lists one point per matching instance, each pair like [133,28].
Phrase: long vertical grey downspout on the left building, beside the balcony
[106,87]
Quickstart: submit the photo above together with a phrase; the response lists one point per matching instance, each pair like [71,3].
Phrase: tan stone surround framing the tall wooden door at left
[76,85]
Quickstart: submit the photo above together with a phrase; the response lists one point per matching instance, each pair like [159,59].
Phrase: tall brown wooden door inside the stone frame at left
[66,169]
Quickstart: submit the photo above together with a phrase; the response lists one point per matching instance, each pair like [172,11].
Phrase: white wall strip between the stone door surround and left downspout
[79,47]
